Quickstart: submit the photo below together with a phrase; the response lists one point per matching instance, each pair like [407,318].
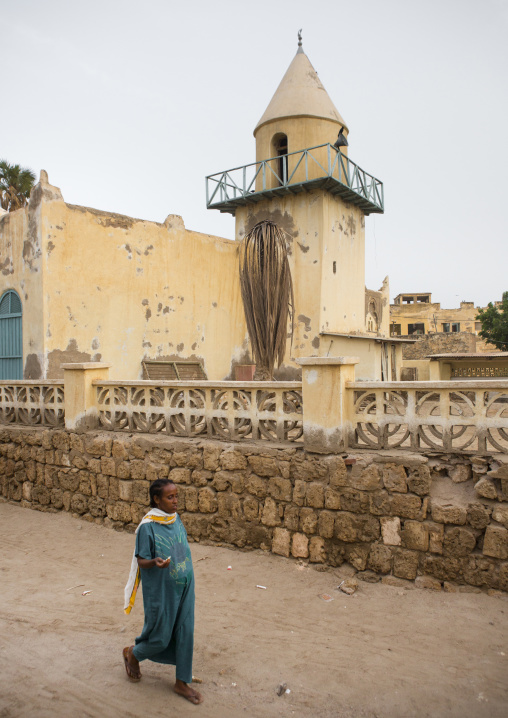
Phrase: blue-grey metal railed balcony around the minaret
[322,167]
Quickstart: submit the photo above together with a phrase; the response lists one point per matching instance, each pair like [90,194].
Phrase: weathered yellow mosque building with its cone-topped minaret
[96,286]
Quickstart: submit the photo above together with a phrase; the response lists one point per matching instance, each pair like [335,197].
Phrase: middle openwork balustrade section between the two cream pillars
[225,410]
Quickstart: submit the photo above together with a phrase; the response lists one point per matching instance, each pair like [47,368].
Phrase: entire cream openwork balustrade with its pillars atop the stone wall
[444,416]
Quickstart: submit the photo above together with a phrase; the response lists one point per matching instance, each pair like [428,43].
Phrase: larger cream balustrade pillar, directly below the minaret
[326,418]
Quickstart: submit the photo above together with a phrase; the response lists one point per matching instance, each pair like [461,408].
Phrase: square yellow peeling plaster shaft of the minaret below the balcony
[321,230]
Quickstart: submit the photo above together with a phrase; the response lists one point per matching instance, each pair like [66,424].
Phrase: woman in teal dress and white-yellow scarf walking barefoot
[162,562]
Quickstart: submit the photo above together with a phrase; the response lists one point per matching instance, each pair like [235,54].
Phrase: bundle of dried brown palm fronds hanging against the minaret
[267,294]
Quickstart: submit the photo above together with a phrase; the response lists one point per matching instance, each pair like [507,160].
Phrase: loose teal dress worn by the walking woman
[168,598]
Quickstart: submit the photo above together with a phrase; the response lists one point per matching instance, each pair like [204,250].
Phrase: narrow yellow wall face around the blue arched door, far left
[20,270]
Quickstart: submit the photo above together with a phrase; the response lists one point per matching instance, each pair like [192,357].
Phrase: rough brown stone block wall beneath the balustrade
[439,520]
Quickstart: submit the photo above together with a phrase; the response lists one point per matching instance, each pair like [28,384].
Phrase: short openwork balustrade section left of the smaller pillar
[32,403]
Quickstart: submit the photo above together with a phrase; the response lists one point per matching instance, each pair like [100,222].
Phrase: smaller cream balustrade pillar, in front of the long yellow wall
[80,404]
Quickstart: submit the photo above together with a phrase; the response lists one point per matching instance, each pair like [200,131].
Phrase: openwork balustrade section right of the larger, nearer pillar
[443,416]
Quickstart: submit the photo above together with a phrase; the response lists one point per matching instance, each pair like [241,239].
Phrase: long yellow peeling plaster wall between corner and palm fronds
[122,290]
